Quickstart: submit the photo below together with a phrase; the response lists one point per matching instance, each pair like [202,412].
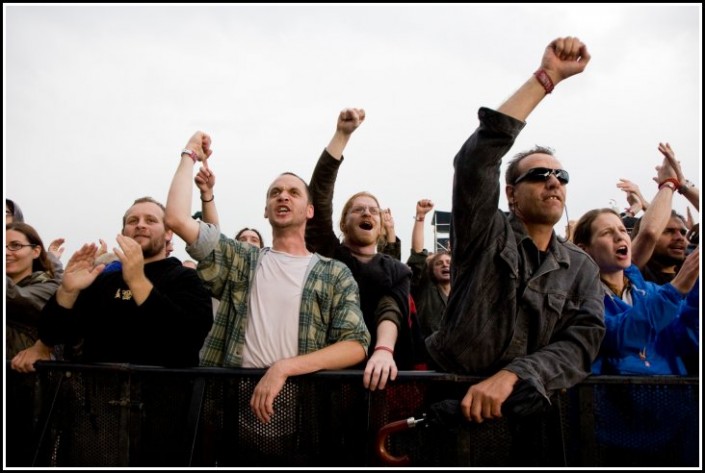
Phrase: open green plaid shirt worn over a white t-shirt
[330,303]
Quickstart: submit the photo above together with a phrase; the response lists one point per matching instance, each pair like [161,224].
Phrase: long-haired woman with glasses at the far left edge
[29,283]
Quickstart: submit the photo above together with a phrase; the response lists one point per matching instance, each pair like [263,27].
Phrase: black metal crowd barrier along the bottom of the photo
[101,415]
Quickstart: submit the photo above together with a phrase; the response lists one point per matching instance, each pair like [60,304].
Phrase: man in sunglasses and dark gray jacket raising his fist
[526,307]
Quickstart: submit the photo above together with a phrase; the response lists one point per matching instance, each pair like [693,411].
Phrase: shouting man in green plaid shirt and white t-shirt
[282,308]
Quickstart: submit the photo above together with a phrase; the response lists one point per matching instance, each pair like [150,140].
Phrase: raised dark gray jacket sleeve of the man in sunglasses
[476,185]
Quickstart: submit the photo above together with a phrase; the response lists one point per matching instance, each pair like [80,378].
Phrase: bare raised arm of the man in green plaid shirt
[178,204]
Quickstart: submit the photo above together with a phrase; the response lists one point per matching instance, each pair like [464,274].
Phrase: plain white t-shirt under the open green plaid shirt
[275,299]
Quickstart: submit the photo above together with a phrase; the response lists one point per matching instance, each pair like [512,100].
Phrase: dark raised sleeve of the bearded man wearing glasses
[320,237]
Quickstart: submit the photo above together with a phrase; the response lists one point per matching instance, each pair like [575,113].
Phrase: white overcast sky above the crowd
[99,100]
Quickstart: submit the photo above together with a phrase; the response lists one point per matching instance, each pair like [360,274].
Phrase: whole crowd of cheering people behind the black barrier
[531,311]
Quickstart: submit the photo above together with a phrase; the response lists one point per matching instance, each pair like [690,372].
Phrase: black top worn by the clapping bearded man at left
[168,329]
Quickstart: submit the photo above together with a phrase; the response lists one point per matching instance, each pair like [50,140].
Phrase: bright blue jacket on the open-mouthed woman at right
[650,337]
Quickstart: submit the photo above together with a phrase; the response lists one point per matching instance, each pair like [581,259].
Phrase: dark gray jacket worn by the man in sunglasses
[542,322]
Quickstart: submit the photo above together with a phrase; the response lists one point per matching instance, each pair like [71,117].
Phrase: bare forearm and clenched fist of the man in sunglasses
[562,58]
